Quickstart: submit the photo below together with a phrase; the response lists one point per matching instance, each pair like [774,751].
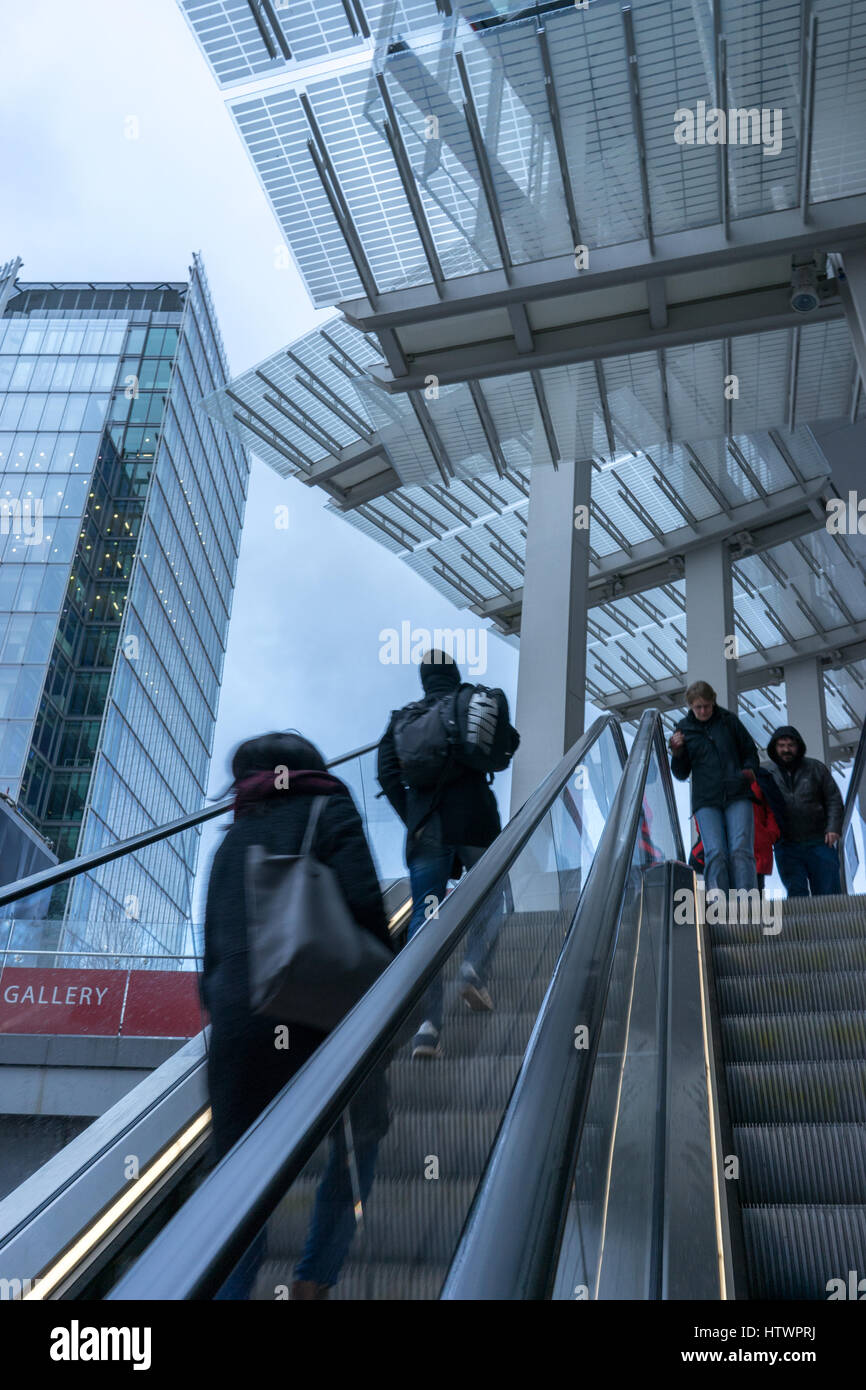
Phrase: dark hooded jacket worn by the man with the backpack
[464,812]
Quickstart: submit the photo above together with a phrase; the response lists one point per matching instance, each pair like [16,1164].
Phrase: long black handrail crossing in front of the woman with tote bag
[197,1252]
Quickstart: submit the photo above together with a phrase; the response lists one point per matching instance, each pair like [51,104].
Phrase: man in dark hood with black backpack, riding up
[434,764]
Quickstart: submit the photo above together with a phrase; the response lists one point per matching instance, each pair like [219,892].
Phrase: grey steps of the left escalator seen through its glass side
[444,1120]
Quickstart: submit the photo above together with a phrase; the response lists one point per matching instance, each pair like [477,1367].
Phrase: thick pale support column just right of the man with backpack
[553,676]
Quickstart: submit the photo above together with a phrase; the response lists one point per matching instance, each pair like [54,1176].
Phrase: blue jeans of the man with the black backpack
[430,869]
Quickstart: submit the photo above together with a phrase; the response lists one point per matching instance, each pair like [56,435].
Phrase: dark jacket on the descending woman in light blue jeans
[715,754]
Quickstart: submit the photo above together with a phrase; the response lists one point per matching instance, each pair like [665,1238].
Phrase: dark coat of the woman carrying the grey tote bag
[247,1068]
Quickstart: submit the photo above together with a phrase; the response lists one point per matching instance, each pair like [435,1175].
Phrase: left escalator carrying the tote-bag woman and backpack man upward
[73,1228]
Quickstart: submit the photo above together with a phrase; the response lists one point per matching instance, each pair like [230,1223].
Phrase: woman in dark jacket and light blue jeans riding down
[718,753]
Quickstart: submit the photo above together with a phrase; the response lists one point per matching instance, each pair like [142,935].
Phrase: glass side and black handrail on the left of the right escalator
[569,1204]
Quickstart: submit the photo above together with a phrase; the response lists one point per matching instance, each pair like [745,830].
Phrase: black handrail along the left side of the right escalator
[512,1235]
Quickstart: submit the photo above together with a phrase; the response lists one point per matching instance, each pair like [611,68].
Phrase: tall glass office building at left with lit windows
[122,512]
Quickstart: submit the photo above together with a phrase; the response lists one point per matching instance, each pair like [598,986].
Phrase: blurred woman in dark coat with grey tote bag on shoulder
[287,808]
